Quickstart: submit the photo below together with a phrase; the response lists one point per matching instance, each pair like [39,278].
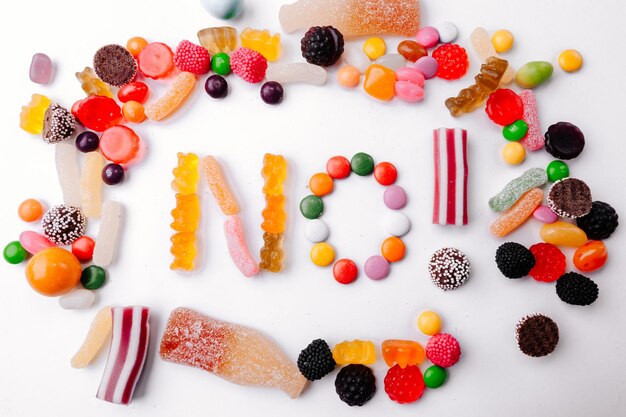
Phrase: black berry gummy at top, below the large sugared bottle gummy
[322,46]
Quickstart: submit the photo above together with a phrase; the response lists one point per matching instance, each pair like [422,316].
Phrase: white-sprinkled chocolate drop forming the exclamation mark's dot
[449,268]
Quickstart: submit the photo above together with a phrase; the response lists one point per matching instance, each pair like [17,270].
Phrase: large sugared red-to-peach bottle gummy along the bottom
[233,352]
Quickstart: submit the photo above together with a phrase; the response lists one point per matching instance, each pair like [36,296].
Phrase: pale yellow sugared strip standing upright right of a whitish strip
[91,184]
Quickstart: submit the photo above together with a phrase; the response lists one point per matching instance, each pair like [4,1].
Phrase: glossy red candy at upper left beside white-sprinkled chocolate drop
[97,113]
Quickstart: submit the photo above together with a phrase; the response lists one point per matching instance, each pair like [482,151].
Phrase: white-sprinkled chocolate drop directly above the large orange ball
[63,224]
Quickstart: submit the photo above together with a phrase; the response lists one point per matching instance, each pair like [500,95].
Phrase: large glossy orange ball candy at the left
[53,271]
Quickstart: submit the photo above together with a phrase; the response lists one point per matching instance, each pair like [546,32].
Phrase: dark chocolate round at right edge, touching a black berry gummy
[570,197]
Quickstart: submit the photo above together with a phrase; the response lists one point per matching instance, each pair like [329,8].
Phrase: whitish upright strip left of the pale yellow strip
[68,172]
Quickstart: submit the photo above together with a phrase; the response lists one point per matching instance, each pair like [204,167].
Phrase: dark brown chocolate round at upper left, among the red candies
[115,65]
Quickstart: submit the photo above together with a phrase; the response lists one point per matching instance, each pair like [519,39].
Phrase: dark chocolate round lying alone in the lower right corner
[537,335]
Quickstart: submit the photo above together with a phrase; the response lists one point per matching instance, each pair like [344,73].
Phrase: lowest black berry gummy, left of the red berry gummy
[355,384]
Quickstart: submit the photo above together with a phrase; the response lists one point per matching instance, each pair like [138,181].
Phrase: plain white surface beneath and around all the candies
[585,375]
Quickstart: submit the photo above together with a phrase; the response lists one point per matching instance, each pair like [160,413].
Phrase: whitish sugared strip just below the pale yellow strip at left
[110,225]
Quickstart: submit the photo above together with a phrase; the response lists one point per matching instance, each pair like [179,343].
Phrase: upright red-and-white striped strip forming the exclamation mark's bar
[450,152]
